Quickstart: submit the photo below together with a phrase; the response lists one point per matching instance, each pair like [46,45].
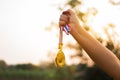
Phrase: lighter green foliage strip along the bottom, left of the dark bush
[21,72]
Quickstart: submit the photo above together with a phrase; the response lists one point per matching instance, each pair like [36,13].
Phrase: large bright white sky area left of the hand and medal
[22,35]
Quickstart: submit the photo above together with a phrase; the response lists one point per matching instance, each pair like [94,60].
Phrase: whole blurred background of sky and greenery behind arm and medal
[29,35]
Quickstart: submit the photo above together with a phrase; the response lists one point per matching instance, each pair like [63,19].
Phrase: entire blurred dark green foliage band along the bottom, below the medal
[50,72]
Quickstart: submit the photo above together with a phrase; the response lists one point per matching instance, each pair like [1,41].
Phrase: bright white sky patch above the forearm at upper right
[106,14]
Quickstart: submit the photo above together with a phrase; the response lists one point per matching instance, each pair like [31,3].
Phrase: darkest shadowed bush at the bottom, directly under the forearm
[90,73]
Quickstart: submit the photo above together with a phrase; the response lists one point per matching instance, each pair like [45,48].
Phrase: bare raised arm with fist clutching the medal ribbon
[103,57]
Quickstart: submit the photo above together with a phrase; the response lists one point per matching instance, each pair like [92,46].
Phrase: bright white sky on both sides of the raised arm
[22,23]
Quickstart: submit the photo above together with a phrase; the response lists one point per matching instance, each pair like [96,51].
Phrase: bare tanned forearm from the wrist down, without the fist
[103,57]
